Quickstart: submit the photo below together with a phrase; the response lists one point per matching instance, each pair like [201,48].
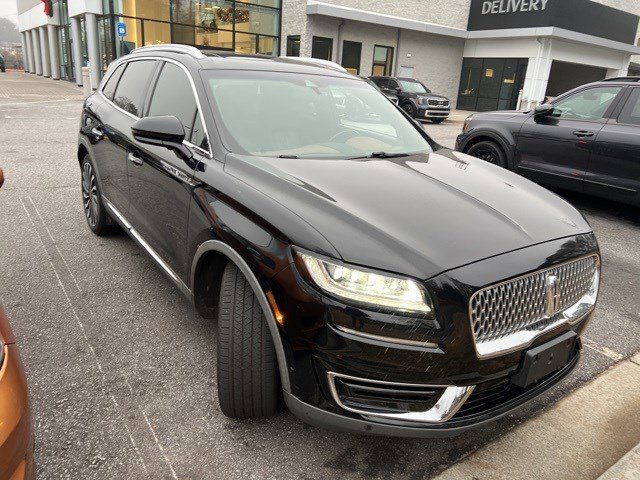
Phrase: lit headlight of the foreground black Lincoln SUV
[368,288]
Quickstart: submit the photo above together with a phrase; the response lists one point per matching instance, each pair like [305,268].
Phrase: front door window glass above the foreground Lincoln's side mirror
[173,95]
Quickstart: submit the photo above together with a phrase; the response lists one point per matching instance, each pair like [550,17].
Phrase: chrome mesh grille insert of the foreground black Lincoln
[521,304]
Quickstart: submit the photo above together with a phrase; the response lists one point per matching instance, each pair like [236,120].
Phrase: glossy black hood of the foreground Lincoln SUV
[418,215]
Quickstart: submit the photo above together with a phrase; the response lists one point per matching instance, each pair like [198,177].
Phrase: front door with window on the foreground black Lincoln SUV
[160,180]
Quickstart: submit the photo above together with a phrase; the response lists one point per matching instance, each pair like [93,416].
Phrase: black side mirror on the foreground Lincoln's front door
[166,131]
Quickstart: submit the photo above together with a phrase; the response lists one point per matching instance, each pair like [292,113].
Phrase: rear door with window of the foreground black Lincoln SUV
[117,116]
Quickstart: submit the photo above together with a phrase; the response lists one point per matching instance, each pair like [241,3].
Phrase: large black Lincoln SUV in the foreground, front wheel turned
[382,283]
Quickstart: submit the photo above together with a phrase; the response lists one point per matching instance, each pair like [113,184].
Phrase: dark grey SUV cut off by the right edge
[585,140]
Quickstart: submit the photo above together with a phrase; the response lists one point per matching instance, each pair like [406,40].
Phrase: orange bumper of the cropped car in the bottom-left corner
[16,436]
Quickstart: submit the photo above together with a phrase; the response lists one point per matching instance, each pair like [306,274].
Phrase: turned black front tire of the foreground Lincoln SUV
[247,367]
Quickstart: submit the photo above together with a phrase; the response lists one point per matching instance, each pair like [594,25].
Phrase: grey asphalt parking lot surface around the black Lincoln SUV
[122,369]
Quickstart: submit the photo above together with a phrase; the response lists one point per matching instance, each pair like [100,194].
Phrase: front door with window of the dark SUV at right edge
[555,150]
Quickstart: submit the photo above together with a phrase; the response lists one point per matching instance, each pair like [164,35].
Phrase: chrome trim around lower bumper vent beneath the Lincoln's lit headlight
[445,408]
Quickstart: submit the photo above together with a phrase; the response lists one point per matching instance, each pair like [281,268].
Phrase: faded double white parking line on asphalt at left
[53,256]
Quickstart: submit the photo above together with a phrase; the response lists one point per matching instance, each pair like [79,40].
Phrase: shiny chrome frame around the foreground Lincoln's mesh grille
[524,338]
